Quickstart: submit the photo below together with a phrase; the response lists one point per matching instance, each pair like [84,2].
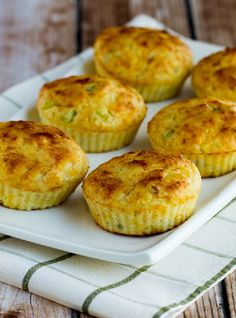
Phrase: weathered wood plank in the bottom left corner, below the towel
[17,303]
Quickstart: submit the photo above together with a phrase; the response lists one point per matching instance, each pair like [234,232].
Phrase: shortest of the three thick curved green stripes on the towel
[33,269]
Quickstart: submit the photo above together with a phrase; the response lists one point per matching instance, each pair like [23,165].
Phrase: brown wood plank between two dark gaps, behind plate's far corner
[101,14]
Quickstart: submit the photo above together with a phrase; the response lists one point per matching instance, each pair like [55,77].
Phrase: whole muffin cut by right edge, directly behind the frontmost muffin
[201,129]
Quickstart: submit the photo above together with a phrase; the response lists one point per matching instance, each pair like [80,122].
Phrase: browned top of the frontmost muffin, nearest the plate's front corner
[143,180]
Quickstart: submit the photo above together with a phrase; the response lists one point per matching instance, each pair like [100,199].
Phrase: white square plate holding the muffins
[69,227]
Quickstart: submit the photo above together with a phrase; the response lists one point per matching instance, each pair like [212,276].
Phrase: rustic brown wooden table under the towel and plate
[38,34]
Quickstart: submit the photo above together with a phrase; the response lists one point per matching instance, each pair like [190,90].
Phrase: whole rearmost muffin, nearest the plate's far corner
[153,61]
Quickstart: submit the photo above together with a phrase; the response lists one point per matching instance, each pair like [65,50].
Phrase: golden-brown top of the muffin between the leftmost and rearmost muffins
[90,103]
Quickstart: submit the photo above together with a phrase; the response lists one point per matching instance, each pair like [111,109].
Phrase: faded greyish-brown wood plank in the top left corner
[34,35]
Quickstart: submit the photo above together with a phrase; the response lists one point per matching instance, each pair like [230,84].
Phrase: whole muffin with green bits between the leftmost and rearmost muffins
[101,114]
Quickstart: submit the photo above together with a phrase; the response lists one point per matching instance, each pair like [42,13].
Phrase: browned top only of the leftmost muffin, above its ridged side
[36,157]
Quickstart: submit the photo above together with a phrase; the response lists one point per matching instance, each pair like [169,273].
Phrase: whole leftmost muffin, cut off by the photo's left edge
[39,165]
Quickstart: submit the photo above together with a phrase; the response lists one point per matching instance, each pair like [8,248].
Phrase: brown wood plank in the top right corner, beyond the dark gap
[215,21]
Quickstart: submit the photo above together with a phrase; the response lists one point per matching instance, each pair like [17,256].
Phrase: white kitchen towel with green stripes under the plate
[106,289]
